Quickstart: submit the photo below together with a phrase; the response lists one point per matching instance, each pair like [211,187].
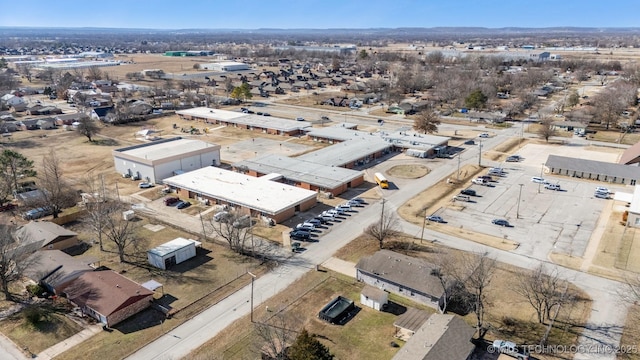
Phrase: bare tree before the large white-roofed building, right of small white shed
[235,229]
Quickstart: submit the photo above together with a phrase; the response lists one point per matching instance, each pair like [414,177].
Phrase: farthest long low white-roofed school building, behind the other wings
[265,124]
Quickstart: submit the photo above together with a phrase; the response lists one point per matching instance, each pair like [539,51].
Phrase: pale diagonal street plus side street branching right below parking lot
[604,325]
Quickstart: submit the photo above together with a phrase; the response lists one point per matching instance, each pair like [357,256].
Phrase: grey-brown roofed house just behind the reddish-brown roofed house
[54,269]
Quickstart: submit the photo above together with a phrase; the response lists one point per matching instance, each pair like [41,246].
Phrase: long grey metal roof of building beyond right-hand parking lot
[593,167]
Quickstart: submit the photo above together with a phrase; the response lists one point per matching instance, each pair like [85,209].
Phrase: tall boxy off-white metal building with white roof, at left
[161,159]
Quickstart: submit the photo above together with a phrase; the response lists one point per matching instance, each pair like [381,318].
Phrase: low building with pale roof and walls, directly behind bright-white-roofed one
[304,174]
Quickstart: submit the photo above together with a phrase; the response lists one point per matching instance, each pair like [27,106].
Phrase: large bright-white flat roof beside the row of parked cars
[255,193]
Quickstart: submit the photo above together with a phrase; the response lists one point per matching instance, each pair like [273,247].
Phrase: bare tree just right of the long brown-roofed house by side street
[475,271]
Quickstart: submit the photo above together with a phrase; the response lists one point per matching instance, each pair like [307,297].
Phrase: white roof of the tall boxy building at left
[165,148]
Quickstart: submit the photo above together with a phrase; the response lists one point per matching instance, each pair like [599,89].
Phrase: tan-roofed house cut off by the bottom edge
[441,337]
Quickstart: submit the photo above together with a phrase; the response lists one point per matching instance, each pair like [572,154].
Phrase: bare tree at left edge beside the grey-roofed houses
[12,258]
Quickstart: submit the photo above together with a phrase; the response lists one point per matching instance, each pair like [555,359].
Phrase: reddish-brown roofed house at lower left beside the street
[108,296]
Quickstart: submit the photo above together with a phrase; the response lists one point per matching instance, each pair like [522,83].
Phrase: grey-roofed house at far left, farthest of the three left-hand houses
[45,235]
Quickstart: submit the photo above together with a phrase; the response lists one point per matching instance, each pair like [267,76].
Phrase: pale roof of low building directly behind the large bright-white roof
[324,176]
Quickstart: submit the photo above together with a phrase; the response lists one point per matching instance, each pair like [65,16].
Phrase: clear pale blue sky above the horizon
[317,14]
